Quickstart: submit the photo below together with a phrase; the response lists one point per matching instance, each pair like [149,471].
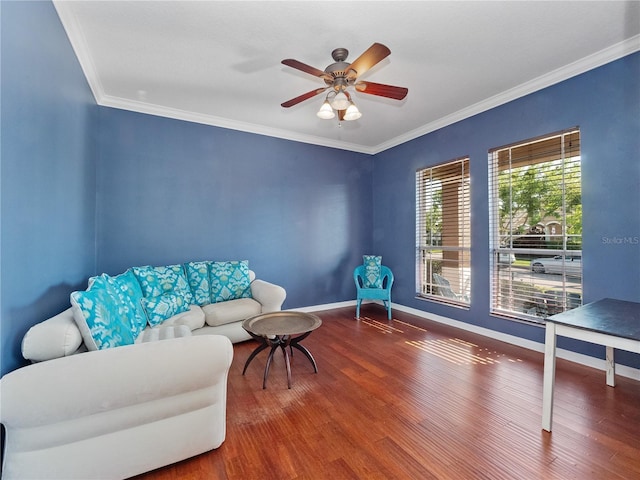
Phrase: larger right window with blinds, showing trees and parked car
[536,226]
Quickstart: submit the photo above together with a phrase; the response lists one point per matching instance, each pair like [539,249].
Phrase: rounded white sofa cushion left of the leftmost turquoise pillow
[58,337]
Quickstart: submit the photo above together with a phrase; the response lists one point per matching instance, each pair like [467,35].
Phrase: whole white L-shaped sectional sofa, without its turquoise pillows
[119,411]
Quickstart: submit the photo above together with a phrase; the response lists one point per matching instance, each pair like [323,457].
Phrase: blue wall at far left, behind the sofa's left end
[48,172]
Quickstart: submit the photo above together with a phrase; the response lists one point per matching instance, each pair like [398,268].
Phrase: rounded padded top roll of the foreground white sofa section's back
[93,382]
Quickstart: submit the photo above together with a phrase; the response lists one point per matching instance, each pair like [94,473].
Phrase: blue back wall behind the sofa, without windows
[172,191]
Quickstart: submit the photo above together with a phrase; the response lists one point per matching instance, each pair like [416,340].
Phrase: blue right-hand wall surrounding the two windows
[605,104]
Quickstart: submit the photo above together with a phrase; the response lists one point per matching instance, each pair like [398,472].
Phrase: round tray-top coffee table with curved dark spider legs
[281,329]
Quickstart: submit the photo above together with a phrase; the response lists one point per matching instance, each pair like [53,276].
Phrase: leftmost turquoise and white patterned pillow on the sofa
[100,317]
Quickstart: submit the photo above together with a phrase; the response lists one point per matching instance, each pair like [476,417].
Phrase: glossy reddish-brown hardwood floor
[410,399]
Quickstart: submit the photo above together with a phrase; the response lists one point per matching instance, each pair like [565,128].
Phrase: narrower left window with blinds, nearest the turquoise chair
[443,237]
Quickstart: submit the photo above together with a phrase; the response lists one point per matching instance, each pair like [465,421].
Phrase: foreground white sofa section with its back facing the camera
[115,413]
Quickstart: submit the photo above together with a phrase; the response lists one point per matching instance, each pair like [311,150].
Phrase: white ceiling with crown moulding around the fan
[218,62]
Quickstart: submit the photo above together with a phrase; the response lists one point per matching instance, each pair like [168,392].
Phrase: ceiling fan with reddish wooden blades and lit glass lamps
[342,74]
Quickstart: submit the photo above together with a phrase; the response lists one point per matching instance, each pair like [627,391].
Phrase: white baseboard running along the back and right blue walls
[597,363]
